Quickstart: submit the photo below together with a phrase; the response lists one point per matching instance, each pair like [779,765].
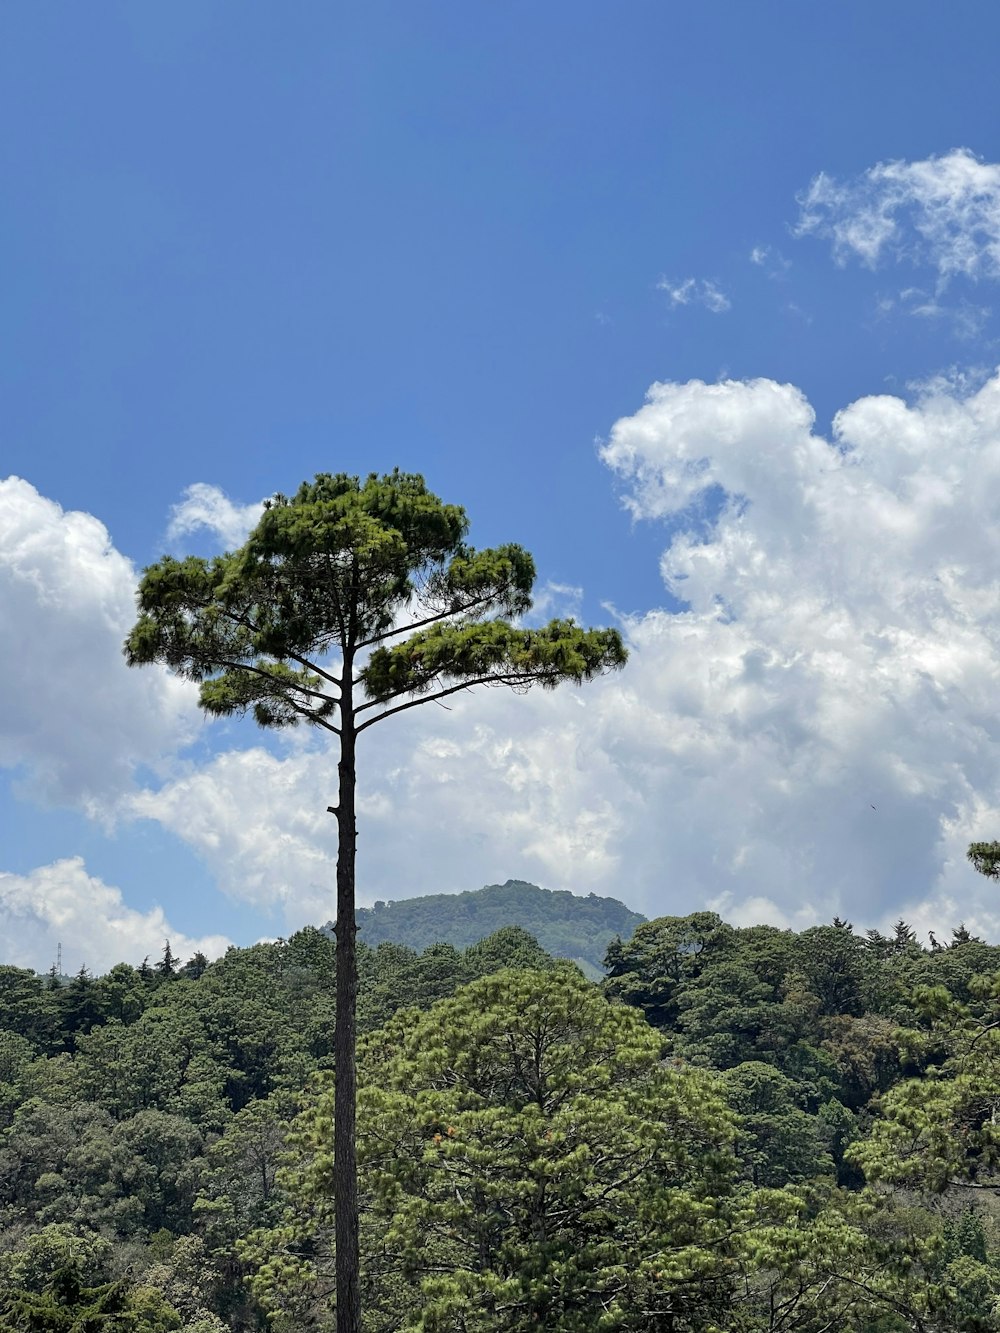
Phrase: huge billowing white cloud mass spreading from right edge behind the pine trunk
[839,650]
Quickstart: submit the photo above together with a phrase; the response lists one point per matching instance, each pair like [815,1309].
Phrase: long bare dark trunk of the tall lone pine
[345,1047]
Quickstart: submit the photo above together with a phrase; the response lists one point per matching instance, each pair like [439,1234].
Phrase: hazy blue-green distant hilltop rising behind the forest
[565,924]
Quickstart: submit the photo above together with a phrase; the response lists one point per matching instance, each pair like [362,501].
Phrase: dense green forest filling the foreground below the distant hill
[733,1131]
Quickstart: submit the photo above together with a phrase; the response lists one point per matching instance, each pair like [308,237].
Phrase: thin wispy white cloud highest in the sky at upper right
[941,213]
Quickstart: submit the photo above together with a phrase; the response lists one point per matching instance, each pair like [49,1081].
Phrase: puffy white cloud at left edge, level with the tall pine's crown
[74,719]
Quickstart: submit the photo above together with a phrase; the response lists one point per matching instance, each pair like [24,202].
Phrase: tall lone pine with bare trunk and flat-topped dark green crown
[350,603]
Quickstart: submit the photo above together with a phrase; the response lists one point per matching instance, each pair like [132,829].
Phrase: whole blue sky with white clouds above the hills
[243,243]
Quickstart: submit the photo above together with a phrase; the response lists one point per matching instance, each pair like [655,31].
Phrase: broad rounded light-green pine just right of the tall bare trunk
[527,1162]
